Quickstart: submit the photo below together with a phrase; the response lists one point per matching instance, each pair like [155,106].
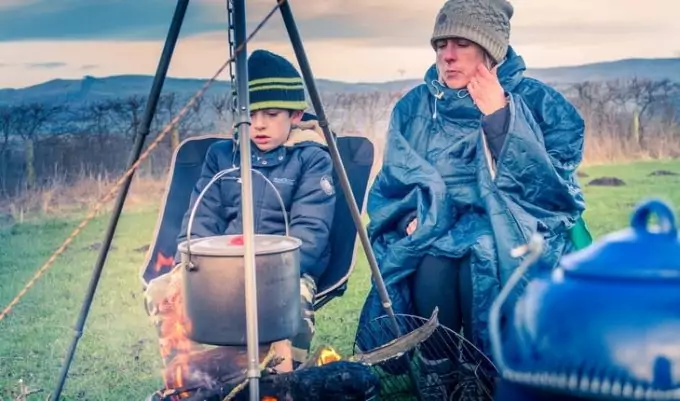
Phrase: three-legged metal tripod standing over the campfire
[242,123]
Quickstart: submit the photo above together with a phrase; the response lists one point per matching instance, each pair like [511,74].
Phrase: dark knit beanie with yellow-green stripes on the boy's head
[274,82]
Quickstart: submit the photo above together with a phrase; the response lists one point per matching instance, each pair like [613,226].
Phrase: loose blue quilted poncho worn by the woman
[438,167]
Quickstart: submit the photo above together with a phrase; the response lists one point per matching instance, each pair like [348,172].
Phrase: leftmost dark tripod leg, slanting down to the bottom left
[157,86]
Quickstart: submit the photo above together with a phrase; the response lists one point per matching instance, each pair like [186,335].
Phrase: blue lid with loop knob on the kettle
[641,251]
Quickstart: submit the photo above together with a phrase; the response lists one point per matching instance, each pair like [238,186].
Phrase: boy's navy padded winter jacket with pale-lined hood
[302,172]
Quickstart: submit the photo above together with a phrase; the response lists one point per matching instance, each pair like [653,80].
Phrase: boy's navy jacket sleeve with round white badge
[312,211]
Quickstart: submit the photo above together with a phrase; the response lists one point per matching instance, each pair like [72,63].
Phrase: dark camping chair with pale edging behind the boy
[357,155]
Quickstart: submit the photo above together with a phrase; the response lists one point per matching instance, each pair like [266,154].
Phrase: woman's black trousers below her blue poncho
[446,284]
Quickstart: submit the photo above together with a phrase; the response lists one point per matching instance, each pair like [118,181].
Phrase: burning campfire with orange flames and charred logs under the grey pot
[194,371]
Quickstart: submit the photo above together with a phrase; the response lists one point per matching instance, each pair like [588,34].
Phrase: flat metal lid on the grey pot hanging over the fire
[232,245]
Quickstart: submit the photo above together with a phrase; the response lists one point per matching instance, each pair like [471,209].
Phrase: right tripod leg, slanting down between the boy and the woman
[308,76]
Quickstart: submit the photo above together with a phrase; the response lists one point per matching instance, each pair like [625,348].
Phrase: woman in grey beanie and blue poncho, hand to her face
[478,157]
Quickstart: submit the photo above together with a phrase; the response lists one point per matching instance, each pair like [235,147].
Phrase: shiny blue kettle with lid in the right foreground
[605,324]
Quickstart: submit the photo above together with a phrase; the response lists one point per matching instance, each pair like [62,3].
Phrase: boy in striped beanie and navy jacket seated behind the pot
[295,159]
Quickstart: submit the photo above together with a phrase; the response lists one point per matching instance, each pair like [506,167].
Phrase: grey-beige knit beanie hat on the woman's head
[485,22]
